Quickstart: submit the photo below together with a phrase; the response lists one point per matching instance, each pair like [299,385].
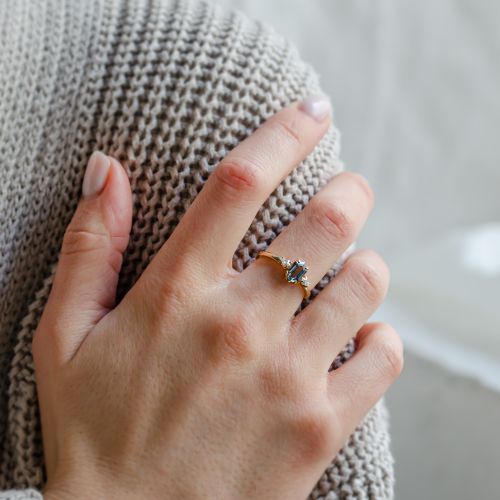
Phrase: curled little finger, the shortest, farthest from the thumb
[358,384]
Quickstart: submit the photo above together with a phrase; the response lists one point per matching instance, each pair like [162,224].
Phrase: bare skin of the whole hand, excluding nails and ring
[201,383]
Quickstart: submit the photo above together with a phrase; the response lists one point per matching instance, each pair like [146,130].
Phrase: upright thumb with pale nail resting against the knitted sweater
[84,287]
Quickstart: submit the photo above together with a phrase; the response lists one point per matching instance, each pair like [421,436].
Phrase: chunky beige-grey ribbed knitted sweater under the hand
[167,87]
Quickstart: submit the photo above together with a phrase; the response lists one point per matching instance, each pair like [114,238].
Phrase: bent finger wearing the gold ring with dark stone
[319,235]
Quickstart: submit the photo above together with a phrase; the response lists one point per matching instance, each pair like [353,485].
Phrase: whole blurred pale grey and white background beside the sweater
[416,91]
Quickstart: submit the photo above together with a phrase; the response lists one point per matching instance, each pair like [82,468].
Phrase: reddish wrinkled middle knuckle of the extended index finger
[237,176]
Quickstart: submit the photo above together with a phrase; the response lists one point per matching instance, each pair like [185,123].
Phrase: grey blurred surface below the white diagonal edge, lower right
[445,433]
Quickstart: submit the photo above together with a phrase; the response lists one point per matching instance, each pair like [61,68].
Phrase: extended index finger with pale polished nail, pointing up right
[212,228]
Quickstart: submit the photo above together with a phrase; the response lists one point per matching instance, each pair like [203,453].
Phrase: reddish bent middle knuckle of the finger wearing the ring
[332,220]
